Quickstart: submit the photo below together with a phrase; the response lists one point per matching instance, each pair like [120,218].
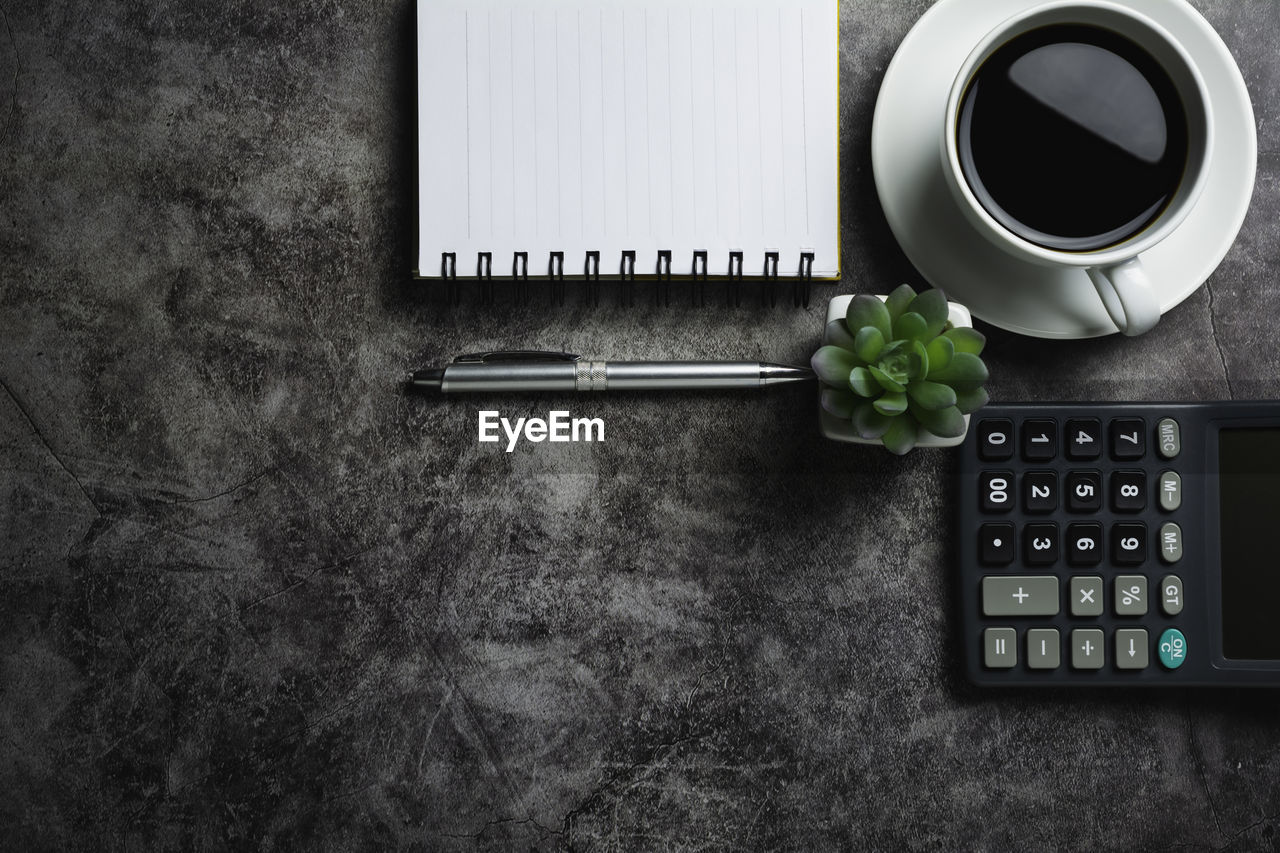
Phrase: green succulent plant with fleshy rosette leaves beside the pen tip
[898,366]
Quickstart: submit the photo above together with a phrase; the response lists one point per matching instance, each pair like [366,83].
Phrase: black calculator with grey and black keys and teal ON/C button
[1122,545]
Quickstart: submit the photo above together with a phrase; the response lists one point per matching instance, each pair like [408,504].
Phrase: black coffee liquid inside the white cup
[1073,138]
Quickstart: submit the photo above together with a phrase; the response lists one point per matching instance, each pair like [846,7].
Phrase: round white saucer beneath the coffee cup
[999,289]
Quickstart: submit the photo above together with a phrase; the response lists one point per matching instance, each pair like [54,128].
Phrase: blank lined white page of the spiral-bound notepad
[643,126]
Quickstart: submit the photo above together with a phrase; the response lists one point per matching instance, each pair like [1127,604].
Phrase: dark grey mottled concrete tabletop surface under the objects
[254,597]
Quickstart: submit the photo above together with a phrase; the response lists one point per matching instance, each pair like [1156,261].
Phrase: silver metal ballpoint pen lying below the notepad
[525,371]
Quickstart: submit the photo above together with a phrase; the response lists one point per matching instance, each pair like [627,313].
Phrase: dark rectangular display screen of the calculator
[1250,507]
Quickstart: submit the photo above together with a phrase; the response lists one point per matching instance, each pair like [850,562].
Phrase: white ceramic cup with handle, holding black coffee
[1116,271]
